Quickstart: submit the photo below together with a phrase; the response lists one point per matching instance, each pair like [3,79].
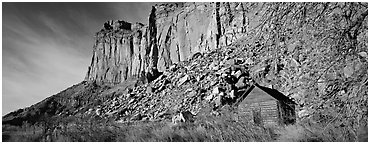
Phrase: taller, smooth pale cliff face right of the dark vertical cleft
[183,29]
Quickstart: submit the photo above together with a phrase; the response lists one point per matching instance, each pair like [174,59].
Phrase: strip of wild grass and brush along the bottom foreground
[205,128]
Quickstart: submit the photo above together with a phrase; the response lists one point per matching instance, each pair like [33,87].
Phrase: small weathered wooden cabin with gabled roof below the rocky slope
[262,105]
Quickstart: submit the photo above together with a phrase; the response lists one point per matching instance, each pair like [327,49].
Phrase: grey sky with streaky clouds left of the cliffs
[47,47]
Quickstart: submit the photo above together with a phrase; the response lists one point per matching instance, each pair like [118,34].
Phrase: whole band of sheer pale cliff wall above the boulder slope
[175,32]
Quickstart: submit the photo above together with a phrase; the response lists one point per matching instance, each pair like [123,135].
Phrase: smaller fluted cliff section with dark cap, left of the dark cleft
[118,53]
